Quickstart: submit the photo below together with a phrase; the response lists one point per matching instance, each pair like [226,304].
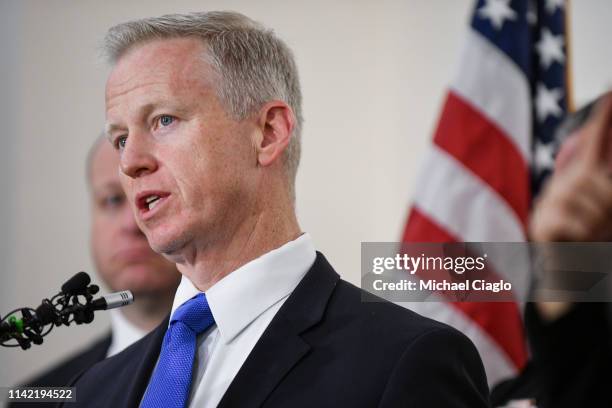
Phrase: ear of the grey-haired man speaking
[276,122]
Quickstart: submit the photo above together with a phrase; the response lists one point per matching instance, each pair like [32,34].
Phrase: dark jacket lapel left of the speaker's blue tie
[138,379]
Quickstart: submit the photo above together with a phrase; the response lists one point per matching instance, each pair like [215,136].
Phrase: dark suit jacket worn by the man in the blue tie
[330,345]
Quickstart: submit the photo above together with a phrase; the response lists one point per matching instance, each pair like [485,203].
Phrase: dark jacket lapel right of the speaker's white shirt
[281,346]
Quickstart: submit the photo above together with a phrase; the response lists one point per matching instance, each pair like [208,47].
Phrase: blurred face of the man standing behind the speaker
[120,250]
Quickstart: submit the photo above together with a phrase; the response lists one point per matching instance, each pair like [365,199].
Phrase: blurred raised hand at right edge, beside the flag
[576,205]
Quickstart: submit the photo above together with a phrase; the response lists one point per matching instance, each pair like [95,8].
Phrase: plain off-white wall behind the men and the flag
[373,75]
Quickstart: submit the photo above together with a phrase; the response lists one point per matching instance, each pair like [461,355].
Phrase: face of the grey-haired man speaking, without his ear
[189,170]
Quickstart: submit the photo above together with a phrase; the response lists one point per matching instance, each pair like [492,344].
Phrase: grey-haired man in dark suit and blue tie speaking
[205,110]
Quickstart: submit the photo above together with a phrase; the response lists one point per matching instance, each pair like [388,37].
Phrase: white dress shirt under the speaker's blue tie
[243,304]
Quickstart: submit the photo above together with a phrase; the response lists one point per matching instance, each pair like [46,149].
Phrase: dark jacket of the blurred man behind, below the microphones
[61,374]
